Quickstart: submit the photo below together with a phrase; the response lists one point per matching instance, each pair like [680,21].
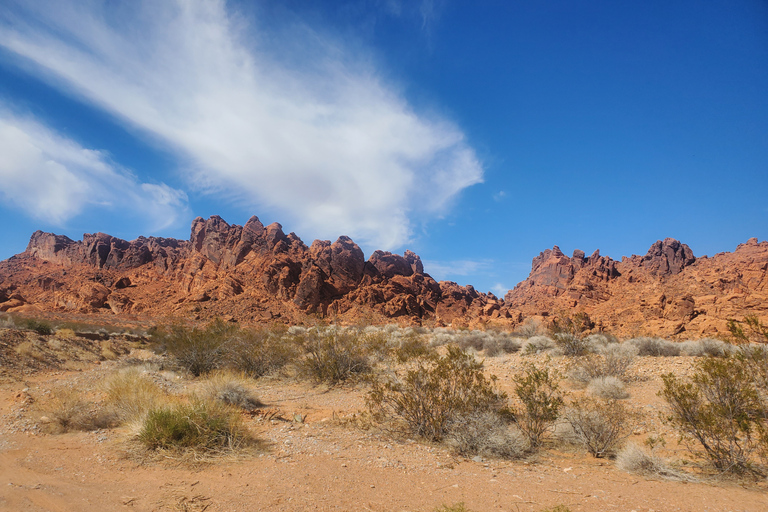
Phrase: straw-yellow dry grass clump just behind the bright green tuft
[130,394]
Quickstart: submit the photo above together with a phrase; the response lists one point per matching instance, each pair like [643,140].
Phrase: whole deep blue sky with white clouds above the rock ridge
[475,133]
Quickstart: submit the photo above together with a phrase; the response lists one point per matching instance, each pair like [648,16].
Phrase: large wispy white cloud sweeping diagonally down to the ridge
[290,120]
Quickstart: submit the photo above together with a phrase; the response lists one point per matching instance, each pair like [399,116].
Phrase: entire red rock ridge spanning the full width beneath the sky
[254,273]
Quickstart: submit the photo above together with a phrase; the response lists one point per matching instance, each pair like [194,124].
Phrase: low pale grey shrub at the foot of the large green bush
[487,434]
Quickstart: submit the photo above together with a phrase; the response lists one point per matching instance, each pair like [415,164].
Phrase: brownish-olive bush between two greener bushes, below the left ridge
[259,352]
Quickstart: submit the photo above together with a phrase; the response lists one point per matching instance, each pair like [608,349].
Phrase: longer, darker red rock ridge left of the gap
[249,272]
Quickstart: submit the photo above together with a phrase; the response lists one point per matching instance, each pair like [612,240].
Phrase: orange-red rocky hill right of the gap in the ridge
[667,292]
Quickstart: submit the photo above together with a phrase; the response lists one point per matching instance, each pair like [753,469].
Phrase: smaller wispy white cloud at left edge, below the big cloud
[53,178]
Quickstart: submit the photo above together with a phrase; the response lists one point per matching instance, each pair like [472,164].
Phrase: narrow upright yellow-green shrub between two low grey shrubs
[539,391]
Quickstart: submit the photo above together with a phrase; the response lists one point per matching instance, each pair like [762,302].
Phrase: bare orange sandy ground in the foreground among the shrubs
[329,462]
